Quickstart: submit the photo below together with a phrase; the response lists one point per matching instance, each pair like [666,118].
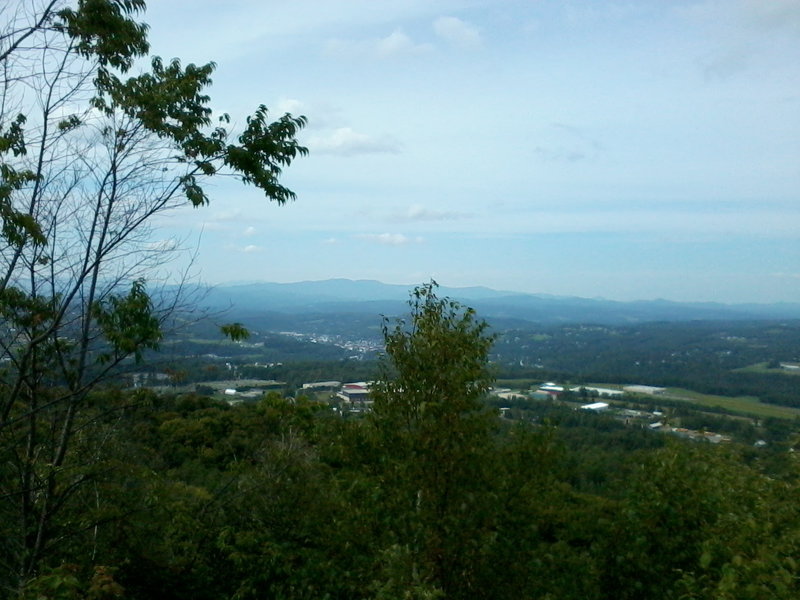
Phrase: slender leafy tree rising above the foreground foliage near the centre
[435,438]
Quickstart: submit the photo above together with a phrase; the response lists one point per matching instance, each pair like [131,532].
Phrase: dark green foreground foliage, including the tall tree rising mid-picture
[431,496]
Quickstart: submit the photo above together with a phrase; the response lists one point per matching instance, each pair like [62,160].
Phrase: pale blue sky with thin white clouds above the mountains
[626,150]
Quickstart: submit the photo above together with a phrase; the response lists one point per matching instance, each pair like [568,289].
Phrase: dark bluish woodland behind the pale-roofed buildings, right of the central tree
[707,356]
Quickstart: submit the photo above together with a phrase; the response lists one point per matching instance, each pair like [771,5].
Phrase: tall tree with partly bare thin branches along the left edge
[88,156]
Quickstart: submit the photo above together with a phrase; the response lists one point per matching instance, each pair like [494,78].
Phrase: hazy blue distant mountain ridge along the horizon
[345,296]
